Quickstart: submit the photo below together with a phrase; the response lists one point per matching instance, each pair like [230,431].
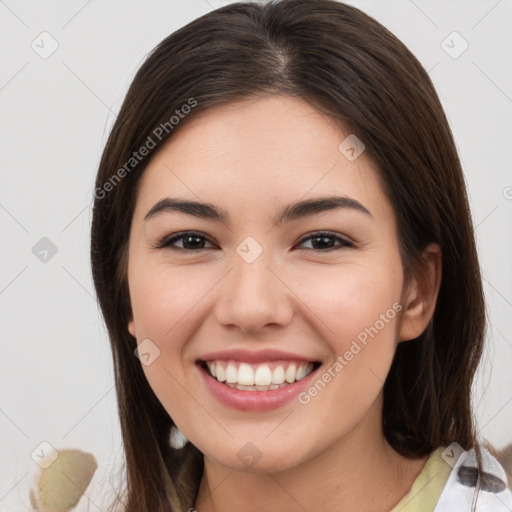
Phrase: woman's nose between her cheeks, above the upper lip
[254,295]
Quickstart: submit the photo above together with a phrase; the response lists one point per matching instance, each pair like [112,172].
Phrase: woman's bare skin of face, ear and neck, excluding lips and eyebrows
[252,158]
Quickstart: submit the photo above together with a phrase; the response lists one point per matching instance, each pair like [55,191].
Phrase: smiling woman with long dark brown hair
[285,260]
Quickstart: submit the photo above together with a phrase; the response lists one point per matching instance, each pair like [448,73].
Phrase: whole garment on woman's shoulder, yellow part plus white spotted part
[448,480]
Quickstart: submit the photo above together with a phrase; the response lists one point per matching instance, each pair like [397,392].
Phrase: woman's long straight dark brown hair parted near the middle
[347,65]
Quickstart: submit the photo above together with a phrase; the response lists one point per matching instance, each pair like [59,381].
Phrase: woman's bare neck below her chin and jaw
[359,472]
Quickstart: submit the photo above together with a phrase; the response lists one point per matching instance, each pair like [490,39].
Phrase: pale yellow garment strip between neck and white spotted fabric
[427,487]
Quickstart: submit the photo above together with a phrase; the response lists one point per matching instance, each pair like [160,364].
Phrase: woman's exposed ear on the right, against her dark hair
[421,295]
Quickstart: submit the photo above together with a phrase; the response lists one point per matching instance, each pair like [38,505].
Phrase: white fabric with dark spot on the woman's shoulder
[460,489]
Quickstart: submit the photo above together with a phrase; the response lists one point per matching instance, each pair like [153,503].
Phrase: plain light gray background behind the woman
[56,371]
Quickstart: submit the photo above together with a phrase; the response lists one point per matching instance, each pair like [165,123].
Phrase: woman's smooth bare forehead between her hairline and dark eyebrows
[262,151]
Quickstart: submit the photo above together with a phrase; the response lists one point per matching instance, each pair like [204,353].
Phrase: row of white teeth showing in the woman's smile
[262,378]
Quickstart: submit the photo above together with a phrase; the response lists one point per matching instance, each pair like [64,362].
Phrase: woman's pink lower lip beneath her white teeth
[254,400]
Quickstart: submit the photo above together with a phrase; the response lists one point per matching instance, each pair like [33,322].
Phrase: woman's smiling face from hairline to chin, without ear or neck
[259,290]
